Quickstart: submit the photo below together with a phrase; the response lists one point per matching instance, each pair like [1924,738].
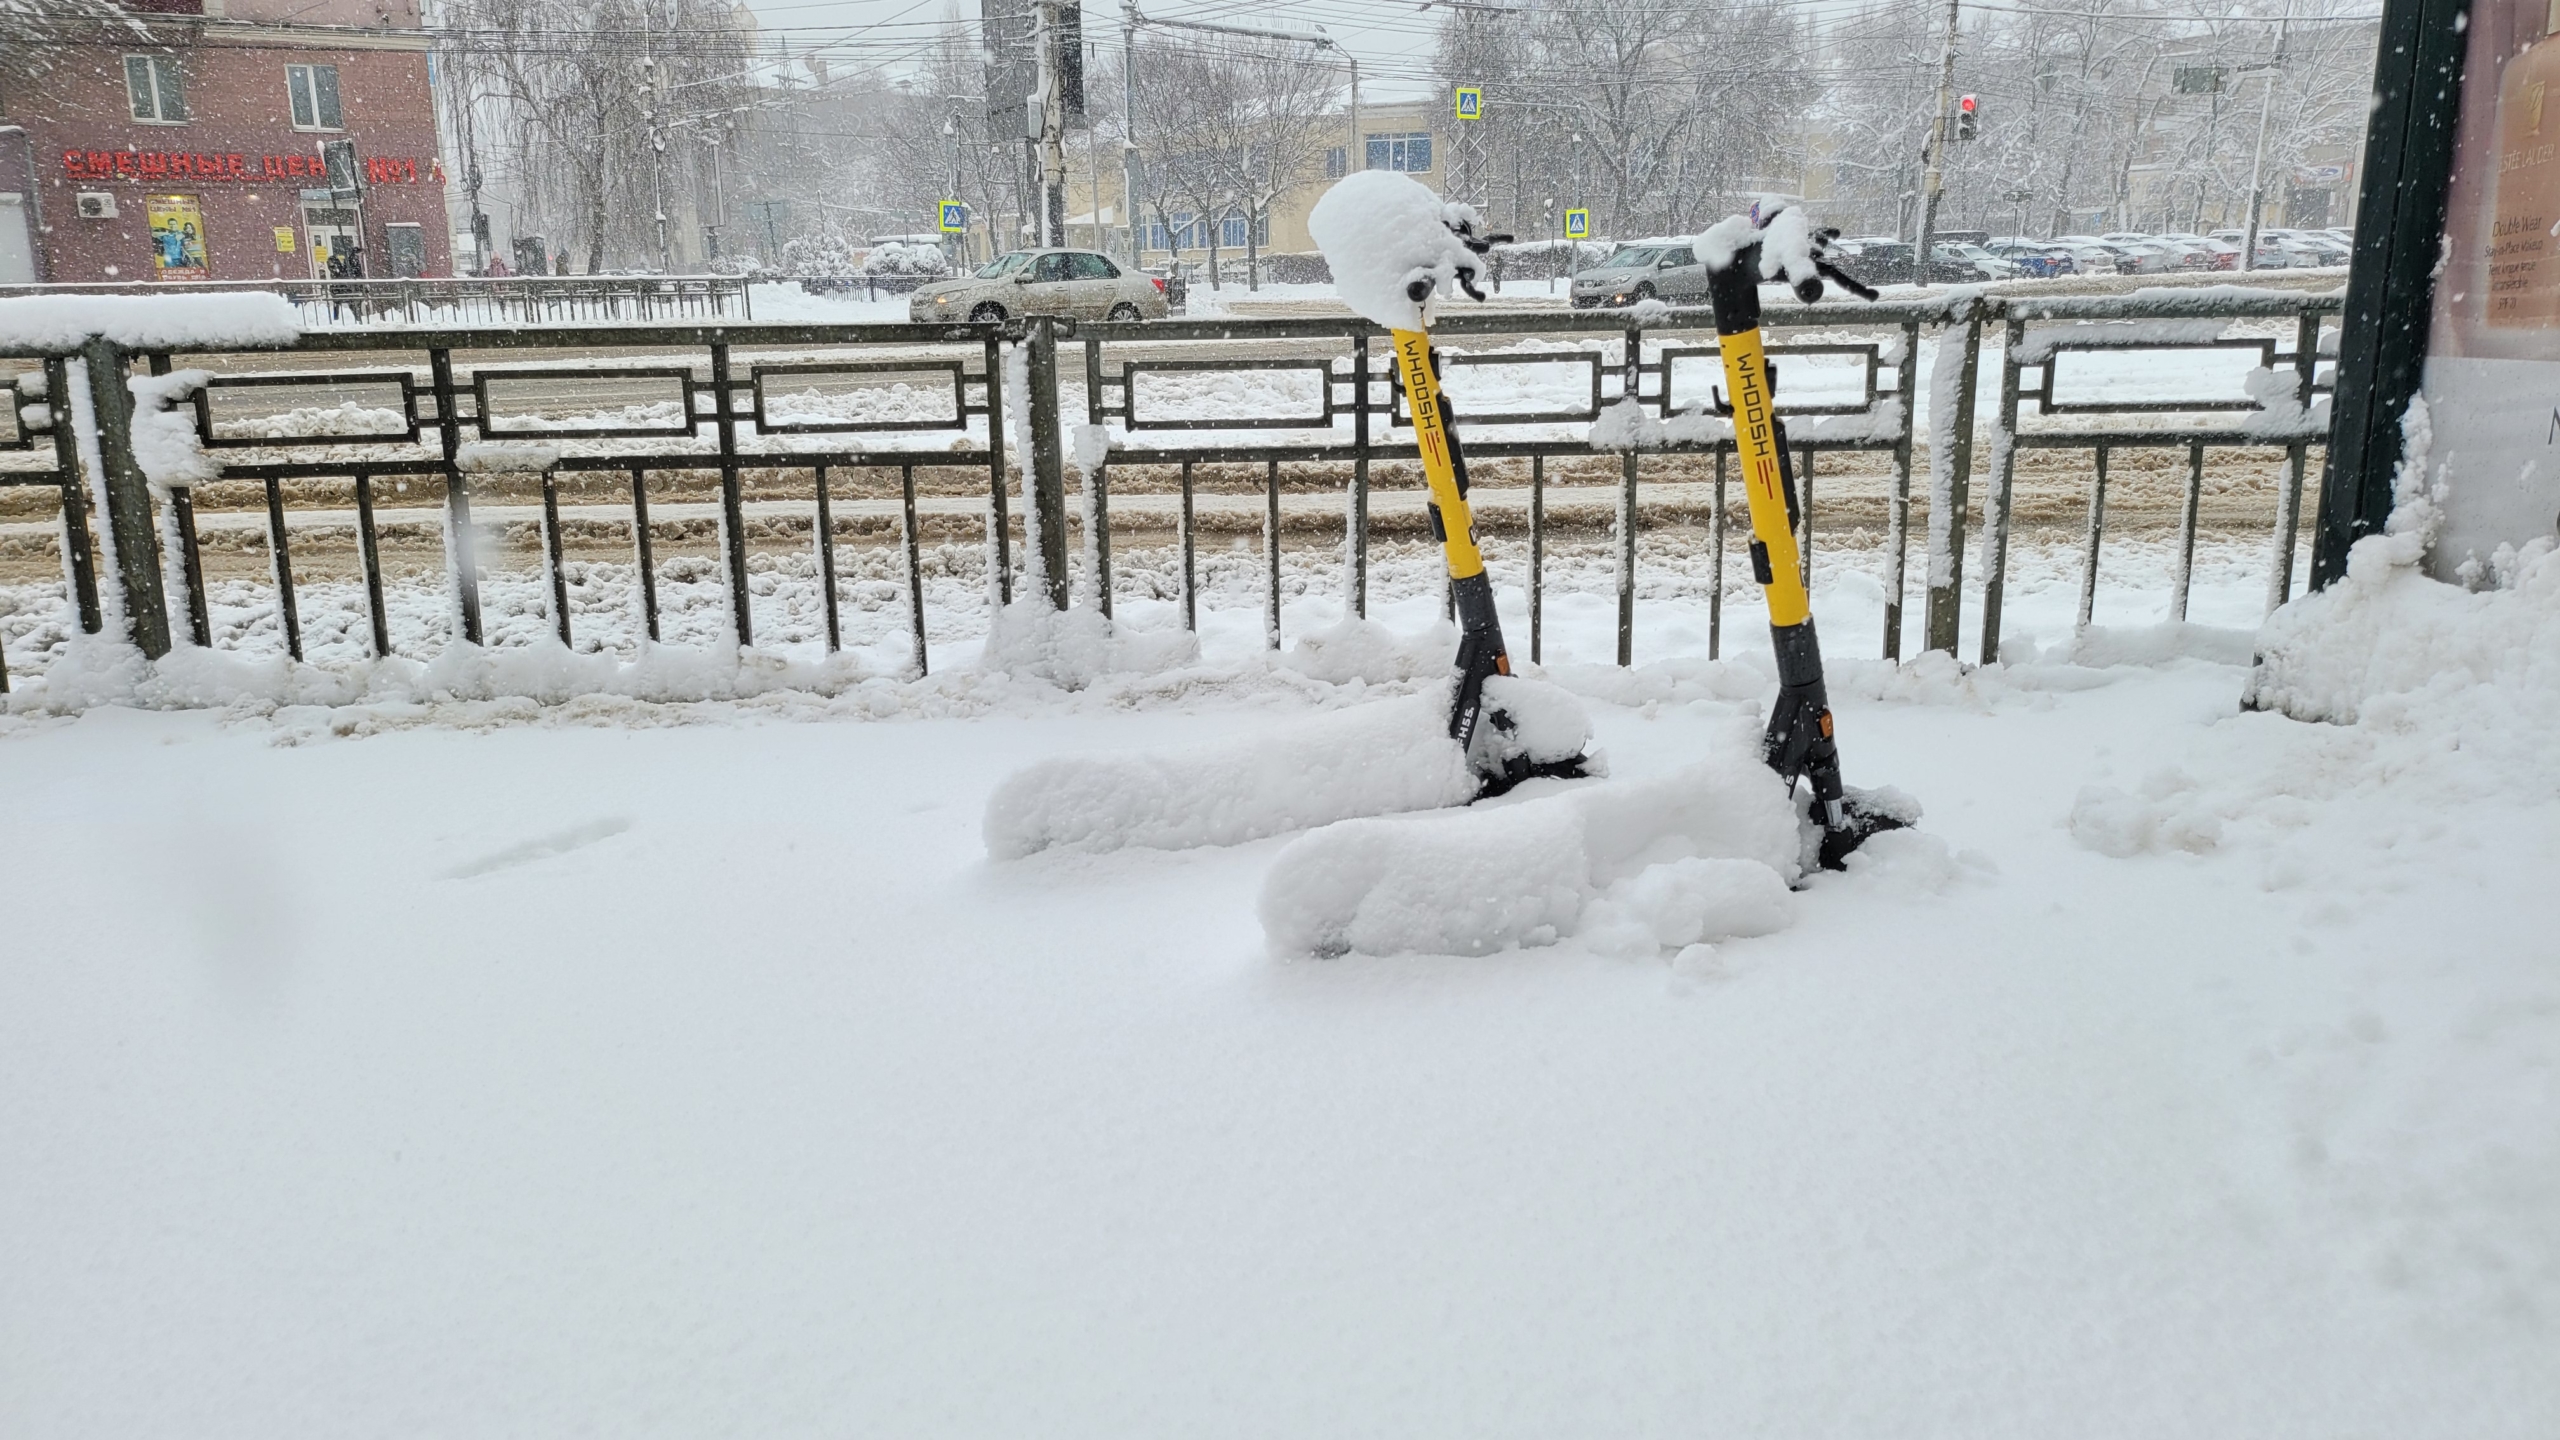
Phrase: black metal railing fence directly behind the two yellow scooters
[1102,404]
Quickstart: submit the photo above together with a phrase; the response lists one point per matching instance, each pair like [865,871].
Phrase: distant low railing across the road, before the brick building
[465,301]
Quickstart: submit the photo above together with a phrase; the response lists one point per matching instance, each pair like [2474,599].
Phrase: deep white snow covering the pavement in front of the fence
[649,1070]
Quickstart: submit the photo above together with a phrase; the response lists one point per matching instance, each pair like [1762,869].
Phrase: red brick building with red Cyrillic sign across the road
[191,145]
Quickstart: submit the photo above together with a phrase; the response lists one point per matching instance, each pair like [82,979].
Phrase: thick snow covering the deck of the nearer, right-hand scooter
[1530,875]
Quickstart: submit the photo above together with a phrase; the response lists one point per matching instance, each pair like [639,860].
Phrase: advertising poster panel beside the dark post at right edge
[2495,350]
